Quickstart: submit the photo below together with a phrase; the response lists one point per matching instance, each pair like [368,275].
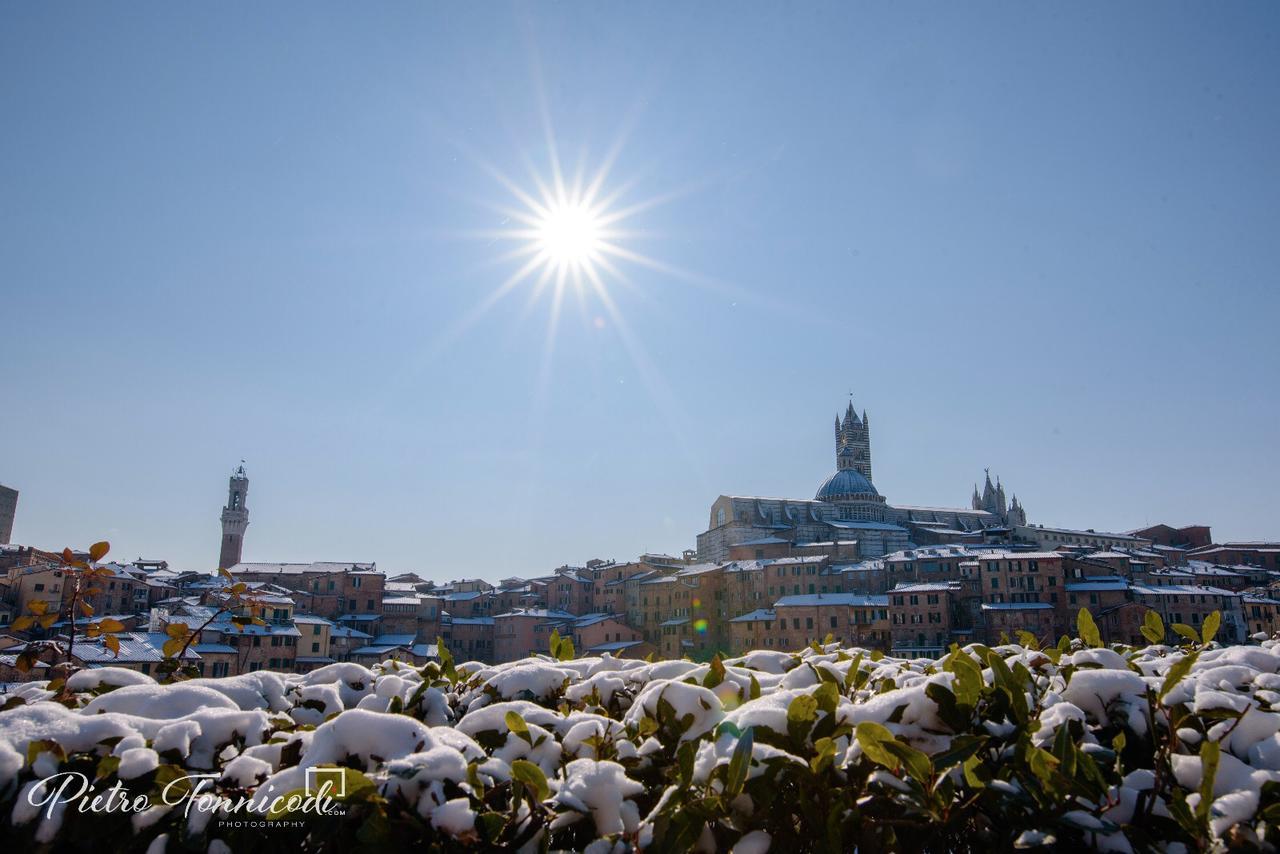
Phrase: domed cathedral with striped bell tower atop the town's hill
[848,508]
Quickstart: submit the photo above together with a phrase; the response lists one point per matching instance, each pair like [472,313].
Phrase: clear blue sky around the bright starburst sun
[1036,238]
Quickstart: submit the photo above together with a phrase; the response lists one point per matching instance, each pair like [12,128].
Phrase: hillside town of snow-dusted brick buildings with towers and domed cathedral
[767,574]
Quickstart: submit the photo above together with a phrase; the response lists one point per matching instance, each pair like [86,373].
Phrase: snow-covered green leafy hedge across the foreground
[1158,748]
